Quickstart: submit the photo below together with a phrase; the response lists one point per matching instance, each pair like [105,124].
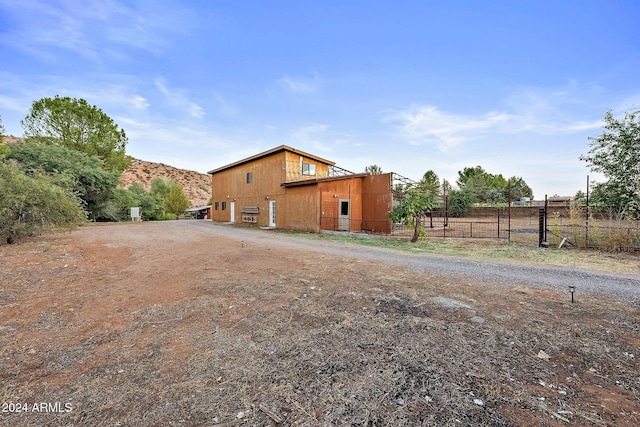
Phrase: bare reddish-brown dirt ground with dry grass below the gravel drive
[173,324]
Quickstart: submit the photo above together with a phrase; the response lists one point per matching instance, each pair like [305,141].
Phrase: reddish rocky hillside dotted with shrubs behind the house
[197,186]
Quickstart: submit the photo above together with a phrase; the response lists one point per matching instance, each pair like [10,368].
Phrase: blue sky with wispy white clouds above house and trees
[516,87]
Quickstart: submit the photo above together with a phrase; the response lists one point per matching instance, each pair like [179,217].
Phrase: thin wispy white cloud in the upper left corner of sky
[91,29]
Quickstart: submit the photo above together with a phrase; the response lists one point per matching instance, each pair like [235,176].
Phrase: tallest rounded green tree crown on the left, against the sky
[74,124]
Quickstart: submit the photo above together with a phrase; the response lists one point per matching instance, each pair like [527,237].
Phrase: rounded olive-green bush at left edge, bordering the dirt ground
[32,203]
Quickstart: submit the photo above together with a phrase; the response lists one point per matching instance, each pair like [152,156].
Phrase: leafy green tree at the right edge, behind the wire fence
[616,154]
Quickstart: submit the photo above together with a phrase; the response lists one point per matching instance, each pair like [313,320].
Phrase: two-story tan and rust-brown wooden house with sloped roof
[290,189]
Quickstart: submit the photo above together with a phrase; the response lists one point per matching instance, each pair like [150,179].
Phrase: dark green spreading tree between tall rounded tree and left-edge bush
[75,171]
